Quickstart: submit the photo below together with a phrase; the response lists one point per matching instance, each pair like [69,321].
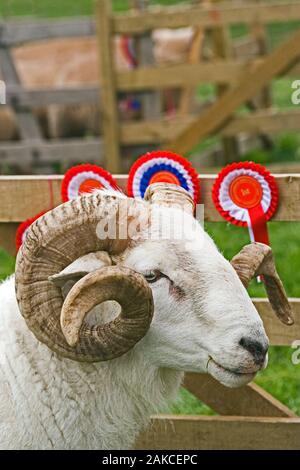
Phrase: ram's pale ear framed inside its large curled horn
[66,278]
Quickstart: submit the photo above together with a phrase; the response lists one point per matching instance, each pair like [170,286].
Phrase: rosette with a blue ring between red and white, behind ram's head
[162,167]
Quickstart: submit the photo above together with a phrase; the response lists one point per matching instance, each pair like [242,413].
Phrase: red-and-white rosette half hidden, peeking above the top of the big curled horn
[86,178]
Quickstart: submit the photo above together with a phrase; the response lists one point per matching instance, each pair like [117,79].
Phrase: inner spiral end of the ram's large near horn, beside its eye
[121,284]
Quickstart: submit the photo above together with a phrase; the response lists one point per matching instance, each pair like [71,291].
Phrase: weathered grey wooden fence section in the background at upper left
[33,152]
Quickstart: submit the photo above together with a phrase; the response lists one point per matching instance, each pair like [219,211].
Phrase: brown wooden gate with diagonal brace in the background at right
[242,80]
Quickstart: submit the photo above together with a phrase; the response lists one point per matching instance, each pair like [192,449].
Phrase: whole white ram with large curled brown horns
[184,308]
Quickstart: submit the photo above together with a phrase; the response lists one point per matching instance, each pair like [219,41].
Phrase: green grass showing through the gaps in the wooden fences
[281,378]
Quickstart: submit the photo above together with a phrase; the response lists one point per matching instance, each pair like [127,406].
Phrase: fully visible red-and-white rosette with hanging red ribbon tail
[246,194]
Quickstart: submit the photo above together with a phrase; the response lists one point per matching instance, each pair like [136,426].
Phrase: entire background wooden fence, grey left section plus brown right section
[233,68]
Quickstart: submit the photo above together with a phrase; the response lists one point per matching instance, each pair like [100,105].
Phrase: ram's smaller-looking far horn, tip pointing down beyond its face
[257,259]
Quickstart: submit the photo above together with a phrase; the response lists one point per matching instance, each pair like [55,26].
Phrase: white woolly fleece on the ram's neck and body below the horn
[49,402]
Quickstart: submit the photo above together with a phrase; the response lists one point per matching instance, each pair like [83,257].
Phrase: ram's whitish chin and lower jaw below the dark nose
[228,377]
